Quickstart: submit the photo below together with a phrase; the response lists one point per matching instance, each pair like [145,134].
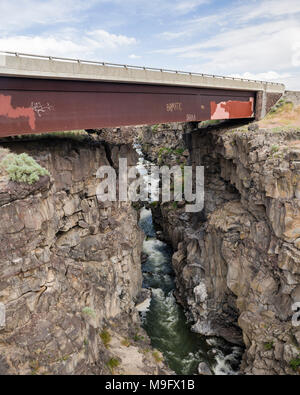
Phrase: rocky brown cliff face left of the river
[70,269]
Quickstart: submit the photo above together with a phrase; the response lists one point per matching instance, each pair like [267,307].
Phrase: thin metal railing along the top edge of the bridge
[126,66]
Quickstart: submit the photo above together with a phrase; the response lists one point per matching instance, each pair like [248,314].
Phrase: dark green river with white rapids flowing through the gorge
[165,321]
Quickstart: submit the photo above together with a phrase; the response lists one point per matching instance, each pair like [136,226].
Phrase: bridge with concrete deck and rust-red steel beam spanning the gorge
[43,94]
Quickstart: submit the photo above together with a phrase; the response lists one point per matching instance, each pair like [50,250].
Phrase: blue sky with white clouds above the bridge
[256,39]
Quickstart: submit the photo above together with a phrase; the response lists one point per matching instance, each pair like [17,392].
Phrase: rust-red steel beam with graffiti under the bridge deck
[43,105]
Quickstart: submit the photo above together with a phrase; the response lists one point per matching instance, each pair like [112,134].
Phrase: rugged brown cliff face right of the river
[238,262]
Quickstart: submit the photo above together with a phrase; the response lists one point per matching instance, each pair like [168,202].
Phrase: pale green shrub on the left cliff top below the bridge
[23,168]
